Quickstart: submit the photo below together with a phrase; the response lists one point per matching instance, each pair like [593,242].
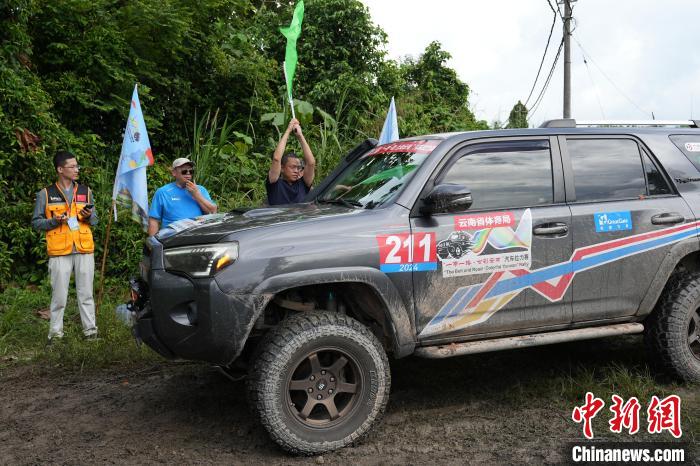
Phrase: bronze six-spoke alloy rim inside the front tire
[324,387]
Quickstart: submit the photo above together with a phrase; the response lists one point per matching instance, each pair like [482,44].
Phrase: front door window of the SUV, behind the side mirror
[501,175]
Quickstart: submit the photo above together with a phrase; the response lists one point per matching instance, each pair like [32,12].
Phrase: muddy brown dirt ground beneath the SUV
[502,408]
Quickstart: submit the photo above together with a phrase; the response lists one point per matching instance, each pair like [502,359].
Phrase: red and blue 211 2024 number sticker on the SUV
[407,252]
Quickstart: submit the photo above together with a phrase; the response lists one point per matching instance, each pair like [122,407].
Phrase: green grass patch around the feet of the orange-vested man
[23,332]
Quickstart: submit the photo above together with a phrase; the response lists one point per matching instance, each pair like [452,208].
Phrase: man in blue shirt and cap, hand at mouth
[180,199]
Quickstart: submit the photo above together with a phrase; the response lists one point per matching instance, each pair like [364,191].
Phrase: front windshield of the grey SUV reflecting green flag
[378,176]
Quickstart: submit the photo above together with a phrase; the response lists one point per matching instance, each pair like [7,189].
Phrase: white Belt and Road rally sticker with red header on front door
[486,243]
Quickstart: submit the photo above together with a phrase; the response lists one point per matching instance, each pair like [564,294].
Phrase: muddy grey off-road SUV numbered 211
[575,233]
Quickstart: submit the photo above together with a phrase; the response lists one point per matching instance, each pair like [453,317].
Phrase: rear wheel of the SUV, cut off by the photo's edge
[672,331]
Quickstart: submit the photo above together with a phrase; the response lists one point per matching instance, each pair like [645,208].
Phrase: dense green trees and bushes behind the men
[68,67]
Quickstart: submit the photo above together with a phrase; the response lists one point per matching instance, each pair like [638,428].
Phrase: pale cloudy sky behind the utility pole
[642,56]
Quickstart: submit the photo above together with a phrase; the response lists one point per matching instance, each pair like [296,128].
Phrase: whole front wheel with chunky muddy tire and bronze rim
[320,383]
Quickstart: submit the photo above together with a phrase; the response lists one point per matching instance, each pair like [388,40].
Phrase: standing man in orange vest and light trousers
[65,211]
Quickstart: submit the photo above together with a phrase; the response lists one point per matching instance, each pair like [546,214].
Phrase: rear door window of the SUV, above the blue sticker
[606,169]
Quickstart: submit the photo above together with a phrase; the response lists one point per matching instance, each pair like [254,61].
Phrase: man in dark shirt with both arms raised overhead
[288,180]
